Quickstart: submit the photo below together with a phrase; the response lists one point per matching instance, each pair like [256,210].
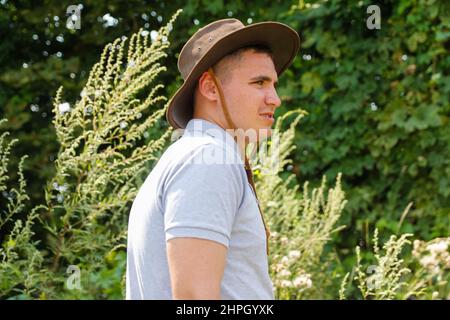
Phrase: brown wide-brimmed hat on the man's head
[214,41]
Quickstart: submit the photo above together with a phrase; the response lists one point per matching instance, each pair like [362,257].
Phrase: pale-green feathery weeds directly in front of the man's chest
[301,223]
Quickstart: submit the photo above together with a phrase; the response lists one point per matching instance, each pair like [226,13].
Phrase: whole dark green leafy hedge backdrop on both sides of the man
[378,100]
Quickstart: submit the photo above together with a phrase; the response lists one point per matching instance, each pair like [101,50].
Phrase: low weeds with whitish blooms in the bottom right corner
[423,275]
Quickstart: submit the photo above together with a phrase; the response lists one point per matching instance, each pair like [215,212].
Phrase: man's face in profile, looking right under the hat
[250,92]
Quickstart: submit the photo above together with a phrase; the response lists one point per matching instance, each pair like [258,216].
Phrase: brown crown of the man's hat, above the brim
[202,41]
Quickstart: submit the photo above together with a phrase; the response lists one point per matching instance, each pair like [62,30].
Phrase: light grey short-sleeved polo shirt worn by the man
[198,189]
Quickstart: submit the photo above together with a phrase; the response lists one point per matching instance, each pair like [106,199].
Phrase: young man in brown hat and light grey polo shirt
[195,228]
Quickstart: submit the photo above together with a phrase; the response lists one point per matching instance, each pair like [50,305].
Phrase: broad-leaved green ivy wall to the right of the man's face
[378,105]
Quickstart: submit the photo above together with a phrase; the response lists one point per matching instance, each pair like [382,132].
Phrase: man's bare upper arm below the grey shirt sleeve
[196,268]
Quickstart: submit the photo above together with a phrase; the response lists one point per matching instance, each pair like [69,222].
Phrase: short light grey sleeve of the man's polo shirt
[201,199]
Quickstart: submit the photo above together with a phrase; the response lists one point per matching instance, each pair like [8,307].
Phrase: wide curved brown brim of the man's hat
[283,41]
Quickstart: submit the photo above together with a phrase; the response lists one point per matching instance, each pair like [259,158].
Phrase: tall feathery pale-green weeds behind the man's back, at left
[97,173]
